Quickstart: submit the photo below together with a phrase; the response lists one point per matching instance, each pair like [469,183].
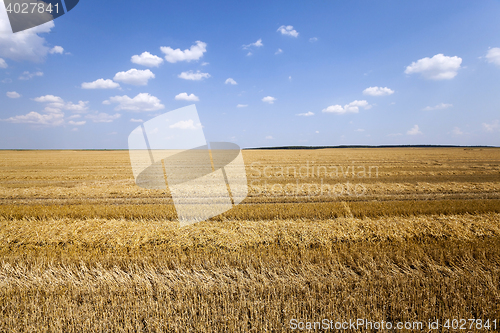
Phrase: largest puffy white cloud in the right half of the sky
[439,67]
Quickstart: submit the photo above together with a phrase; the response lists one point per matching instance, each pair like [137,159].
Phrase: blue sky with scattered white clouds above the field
[261,73]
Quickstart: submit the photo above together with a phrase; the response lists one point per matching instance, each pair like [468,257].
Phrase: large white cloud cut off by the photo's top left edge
[25,45]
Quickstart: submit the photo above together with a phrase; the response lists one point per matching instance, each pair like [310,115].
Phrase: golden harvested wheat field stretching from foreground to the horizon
[326,237]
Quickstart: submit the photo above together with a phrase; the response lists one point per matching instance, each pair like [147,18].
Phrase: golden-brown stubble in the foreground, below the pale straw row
[256,290]
